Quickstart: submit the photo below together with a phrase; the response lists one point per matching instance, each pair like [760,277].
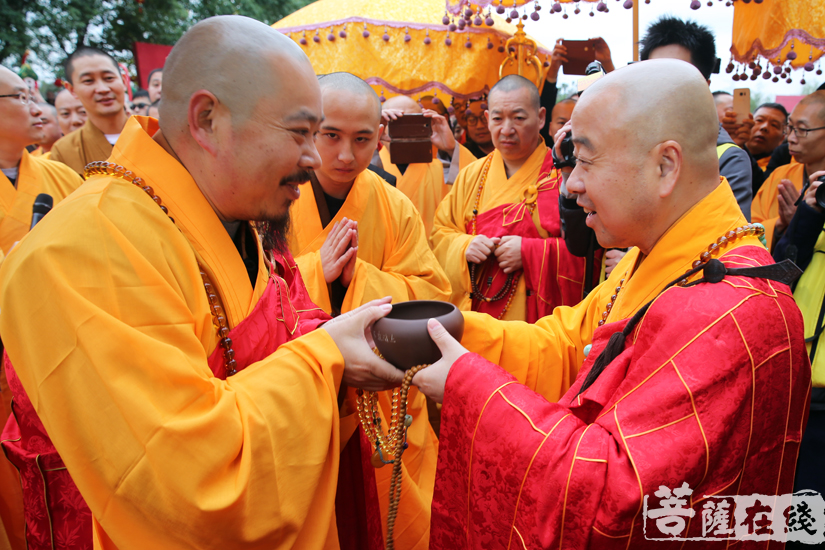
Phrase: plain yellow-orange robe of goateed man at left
[165,454]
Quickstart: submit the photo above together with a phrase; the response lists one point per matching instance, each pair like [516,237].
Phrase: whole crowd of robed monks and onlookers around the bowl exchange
[187,355]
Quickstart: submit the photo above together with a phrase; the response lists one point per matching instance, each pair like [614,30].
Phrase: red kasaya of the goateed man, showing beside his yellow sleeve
[57,517]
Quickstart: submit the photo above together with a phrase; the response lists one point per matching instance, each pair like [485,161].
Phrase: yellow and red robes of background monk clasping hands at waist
[527,205]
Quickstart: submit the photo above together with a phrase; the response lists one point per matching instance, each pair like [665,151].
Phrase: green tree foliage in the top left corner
[52,29]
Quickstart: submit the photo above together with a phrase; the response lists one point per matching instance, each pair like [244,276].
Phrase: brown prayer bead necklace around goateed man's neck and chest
[216,307]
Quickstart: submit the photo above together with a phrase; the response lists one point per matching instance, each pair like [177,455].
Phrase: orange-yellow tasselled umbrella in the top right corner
[788,34]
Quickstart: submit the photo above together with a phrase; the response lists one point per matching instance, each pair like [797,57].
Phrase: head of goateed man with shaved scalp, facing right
[239,110]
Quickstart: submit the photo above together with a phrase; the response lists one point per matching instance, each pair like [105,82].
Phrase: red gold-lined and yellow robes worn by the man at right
[711,389]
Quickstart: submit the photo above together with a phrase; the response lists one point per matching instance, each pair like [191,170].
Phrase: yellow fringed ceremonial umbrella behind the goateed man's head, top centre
[412,47]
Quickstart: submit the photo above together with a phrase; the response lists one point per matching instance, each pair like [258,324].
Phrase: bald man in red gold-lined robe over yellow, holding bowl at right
[702,384]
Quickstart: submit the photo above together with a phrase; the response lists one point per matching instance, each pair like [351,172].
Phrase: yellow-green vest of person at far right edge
[809,295]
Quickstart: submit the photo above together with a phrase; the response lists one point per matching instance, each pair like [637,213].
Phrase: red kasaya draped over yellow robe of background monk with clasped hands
[553,276]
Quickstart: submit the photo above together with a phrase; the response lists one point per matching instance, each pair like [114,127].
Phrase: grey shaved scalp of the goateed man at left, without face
[232,57]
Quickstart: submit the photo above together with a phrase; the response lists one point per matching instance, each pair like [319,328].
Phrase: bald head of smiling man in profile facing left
[644,159]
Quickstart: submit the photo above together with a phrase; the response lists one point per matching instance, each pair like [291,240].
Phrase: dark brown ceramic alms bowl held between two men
[402,336]
